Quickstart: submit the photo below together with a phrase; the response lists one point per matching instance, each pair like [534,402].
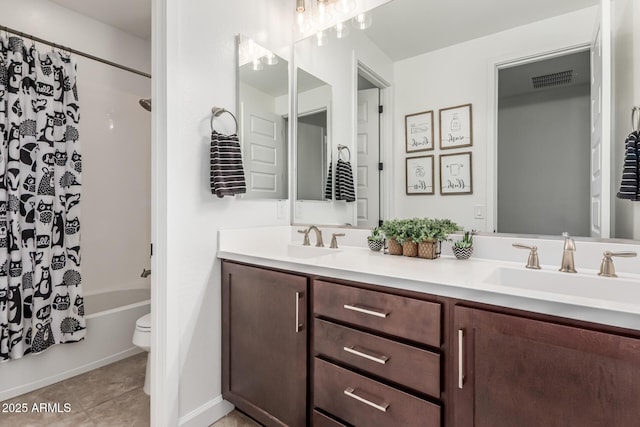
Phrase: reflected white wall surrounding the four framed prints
[458,75]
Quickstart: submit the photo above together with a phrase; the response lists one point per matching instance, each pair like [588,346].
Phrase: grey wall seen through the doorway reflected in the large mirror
[545,130]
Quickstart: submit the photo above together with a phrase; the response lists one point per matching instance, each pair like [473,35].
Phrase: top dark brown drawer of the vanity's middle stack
[404,317]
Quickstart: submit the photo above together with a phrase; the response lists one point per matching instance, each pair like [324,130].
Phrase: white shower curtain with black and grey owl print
[40,174]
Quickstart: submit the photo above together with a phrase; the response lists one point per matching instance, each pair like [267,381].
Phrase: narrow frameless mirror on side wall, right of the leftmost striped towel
[263,102]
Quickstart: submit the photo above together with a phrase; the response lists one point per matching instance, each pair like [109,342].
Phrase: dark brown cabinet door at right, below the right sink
[513,371]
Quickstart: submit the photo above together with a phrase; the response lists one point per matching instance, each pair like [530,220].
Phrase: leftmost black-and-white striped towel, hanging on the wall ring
[227,174]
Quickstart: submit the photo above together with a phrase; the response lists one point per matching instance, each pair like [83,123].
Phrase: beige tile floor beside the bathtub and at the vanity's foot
[110,396]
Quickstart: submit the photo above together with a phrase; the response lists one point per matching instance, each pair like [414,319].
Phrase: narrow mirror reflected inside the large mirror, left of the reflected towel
[312,138]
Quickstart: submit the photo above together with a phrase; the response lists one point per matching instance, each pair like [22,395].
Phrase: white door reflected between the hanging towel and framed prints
[368,192]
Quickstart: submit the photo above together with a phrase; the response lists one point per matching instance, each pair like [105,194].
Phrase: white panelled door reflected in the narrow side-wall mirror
[264,153]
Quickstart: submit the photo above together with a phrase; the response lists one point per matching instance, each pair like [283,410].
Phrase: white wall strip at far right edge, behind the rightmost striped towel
[626,72]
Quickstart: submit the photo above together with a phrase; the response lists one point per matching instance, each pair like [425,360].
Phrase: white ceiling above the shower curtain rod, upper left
[131,16]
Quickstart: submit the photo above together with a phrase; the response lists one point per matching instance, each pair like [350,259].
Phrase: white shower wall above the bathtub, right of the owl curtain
[115,135]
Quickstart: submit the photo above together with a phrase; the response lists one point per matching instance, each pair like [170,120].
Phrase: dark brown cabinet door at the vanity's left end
[265,343]
